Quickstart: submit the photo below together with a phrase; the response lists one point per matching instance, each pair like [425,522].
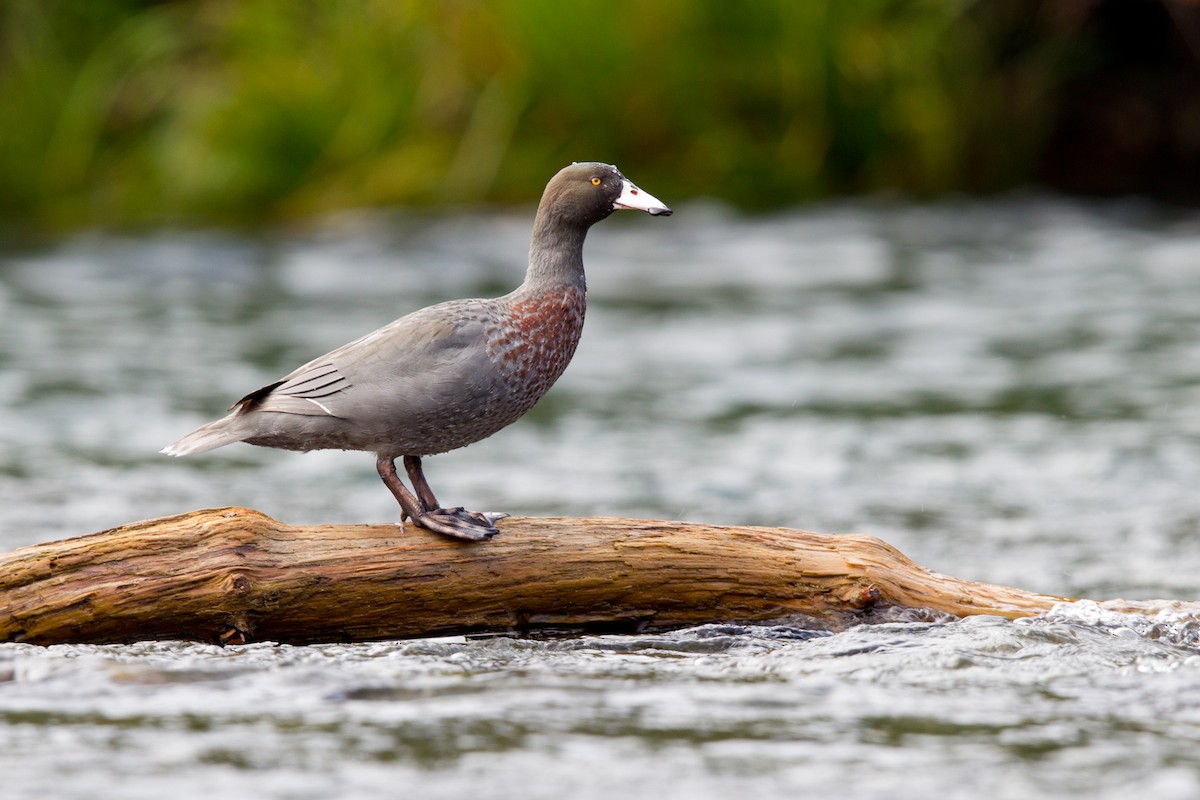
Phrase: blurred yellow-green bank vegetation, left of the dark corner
[254,111]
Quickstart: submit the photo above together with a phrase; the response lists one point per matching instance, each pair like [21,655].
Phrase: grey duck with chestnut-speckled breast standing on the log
[447,376]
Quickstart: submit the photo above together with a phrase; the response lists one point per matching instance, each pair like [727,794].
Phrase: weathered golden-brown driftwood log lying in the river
[235,575]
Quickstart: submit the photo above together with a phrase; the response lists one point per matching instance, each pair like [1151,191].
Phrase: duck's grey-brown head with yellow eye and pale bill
[585,194]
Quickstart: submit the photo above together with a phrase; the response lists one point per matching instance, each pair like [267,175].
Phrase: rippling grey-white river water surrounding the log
[1009,392]
